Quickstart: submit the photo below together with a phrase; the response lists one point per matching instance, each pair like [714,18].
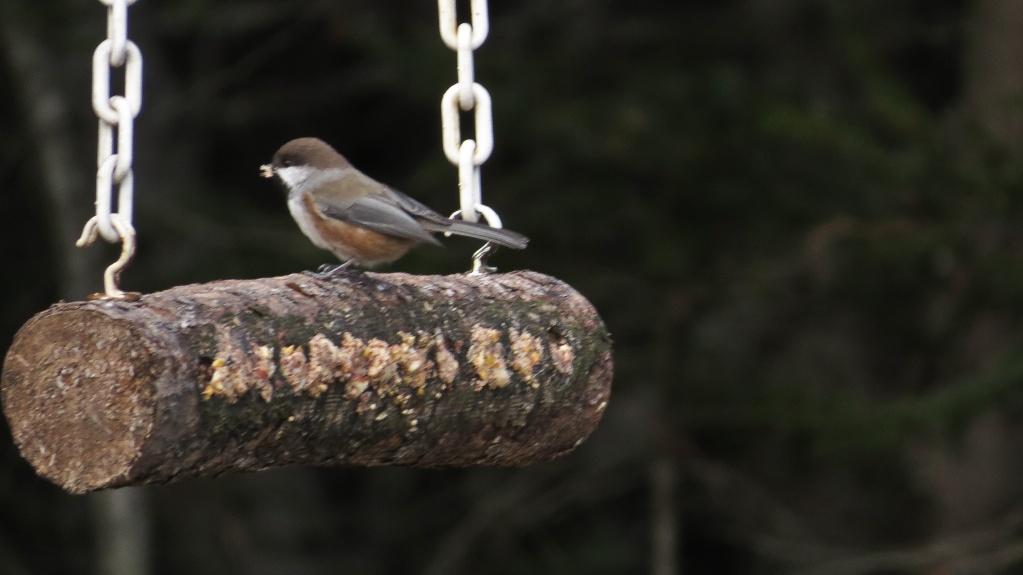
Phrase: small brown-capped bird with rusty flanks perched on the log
[359,219]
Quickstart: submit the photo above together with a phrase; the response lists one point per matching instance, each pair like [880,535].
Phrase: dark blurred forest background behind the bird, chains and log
[803,222]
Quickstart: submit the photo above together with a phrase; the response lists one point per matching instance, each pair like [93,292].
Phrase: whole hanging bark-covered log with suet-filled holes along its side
[363,370]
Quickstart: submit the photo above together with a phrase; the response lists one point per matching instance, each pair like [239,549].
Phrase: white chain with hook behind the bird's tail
[468,155]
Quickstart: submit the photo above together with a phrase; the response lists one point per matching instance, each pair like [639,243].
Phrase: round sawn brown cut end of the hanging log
[81,390]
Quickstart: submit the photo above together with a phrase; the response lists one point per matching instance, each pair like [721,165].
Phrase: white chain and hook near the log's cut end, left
[115,154]
